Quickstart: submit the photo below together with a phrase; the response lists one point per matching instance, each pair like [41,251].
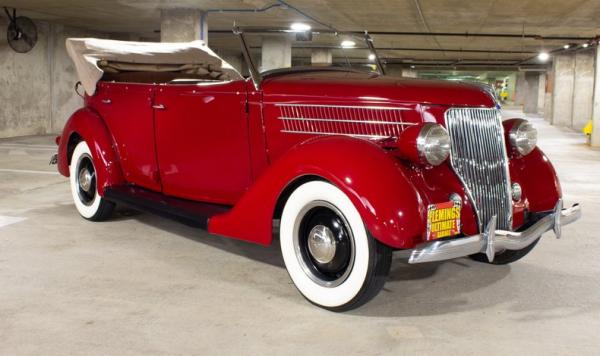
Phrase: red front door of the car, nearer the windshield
[202,140]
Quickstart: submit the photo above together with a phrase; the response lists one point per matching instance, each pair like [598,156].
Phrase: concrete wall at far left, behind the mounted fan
[37,93]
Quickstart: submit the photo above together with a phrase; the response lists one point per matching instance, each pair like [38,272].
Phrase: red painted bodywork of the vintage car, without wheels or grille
[229,143]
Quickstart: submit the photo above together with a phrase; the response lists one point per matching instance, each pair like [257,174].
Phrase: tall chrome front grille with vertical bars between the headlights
[479,158]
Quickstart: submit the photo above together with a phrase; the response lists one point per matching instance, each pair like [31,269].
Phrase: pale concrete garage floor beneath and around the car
[144,285]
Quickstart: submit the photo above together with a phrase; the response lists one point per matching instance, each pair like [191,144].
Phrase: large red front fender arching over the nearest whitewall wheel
[388,203]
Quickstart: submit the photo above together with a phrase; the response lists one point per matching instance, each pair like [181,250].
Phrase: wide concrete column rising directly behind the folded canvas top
[182,25]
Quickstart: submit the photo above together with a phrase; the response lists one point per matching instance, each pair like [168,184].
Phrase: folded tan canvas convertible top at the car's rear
[93,57]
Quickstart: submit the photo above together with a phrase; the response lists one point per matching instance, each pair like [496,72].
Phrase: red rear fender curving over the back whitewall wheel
[90,127]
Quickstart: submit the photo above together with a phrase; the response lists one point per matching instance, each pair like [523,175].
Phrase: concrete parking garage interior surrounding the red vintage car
[141,284]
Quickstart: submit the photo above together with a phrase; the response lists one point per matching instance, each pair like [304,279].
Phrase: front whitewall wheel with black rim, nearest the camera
[329,255]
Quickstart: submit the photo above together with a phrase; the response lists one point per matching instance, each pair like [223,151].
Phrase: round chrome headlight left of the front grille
[433,144]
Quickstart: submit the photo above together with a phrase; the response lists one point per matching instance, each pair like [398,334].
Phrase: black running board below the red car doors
[195,214]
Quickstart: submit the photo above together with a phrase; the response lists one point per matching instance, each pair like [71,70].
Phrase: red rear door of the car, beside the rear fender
[127,111]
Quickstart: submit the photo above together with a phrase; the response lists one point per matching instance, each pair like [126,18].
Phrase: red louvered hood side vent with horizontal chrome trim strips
[372,122]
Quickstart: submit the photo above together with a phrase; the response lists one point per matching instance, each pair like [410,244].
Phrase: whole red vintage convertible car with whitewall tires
[342,167]
